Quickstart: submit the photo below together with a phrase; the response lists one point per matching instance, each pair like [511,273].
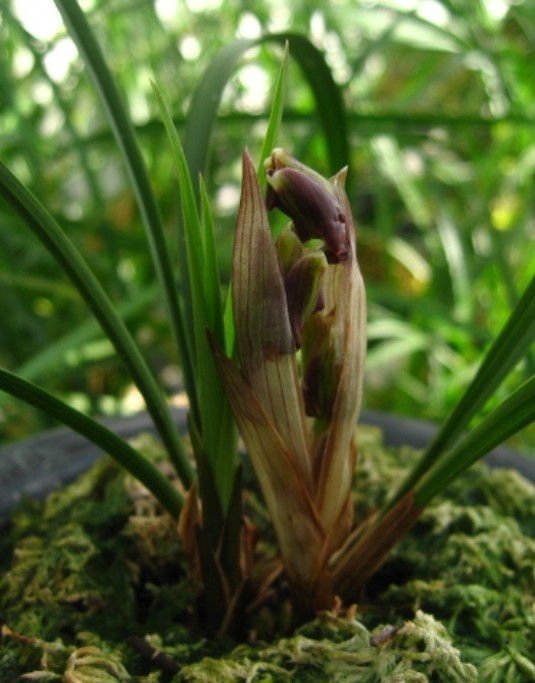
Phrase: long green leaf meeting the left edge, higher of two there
[65,253]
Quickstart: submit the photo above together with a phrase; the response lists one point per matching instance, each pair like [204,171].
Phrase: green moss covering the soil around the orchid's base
[95,589]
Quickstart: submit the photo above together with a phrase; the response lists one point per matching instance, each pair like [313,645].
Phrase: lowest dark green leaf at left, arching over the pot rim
[127,456]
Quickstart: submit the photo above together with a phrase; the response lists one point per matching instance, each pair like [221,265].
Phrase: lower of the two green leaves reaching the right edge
[510,417]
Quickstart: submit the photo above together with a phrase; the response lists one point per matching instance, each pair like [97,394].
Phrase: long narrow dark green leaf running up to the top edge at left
[81,33]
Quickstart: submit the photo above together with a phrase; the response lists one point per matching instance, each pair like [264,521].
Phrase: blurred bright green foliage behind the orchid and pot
[440,99]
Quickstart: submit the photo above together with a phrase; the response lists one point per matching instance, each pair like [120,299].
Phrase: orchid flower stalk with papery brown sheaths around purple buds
[300,320]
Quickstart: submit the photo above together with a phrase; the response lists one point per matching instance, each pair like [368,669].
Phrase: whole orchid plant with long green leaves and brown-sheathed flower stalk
[282,359]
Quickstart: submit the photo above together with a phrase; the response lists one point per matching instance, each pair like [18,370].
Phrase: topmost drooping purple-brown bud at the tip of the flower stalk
[310,201]
